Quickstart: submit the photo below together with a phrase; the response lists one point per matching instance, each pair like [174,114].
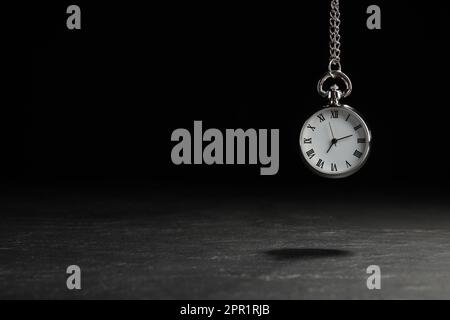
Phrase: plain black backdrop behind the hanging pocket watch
[106,99]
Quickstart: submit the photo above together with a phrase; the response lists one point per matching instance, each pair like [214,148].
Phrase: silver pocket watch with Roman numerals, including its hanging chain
[335,141]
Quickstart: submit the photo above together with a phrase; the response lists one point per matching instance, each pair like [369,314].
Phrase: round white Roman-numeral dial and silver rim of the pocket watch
[335,142]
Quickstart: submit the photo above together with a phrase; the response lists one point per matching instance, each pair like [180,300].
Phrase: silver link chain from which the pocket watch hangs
[335,37]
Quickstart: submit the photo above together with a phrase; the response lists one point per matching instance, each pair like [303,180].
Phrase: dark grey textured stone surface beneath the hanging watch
[223,248]
